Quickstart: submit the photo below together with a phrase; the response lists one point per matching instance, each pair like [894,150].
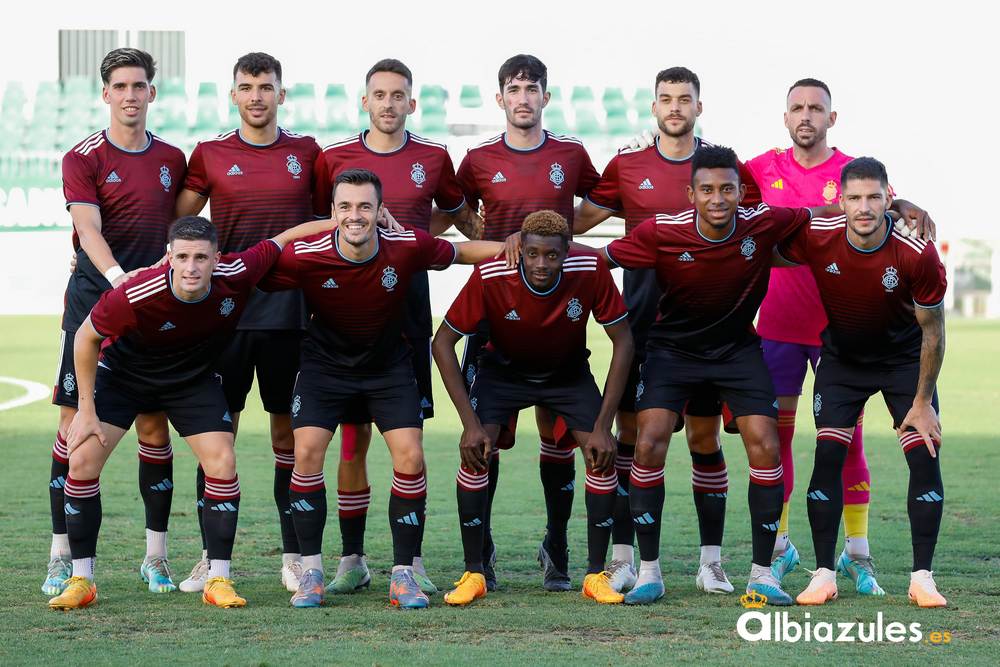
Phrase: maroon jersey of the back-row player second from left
[256,192]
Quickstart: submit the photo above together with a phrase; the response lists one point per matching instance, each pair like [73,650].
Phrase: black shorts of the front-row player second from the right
[670,380]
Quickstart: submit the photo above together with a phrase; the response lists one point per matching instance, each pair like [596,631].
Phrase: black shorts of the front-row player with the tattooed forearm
[842,388]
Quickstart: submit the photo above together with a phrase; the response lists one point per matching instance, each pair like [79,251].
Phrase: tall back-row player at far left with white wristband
[120,186]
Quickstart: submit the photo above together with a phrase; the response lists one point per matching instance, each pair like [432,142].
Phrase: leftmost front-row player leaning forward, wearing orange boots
[147,346]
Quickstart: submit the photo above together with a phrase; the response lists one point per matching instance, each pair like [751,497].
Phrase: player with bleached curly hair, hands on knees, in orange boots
[537,355]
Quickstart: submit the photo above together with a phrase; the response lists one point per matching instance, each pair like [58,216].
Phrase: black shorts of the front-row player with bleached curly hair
[496,396]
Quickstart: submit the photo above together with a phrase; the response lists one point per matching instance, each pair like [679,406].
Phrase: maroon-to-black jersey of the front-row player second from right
[711,289]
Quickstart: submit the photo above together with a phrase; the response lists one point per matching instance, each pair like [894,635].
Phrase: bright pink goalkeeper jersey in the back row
[792,311]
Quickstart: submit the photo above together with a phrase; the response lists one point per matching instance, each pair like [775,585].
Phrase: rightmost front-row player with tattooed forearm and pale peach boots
[882,293]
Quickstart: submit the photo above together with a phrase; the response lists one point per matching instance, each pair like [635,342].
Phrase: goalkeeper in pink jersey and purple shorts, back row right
[791,316]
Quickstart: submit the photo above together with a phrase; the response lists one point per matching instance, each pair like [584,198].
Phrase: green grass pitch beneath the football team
[520,624]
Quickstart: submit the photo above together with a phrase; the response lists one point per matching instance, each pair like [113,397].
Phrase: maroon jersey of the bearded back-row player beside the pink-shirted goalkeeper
[643,182]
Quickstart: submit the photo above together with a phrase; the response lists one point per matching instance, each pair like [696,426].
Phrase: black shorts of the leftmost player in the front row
[192,408]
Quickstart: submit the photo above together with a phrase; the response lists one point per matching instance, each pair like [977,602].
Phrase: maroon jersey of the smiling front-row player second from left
[357,306]
